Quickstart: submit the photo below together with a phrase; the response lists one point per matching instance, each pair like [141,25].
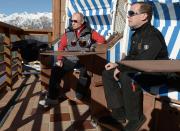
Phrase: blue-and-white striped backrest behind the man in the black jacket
[166,18]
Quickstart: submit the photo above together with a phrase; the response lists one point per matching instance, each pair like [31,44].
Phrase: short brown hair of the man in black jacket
[145,8]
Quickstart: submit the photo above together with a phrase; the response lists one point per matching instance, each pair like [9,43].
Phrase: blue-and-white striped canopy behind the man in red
[99,13]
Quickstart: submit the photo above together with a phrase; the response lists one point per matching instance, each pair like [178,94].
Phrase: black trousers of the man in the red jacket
[57,73]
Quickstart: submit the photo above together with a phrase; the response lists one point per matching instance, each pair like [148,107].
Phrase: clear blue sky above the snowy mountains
[31,6]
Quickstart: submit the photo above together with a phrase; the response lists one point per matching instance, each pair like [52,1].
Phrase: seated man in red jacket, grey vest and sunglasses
[76,38]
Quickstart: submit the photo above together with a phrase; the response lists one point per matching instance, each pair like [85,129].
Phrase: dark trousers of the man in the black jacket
[125,97]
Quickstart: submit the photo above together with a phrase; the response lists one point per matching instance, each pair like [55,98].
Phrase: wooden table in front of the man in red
[92,60]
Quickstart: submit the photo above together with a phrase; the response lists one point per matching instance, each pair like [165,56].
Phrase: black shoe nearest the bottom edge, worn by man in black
[134,125]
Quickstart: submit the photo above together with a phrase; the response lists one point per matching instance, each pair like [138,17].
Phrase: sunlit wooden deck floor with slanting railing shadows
[26,115]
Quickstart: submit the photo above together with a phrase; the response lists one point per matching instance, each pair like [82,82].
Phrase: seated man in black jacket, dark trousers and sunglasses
[123,97]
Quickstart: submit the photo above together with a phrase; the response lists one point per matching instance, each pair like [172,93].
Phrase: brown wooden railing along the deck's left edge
[10,63]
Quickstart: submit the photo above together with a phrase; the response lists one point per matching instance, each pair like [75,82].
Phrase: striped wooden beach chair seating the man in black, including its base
[162,100]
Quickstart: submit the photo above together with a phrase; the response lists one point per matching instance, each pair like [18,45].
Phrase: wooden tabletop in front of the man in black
[153,65]
